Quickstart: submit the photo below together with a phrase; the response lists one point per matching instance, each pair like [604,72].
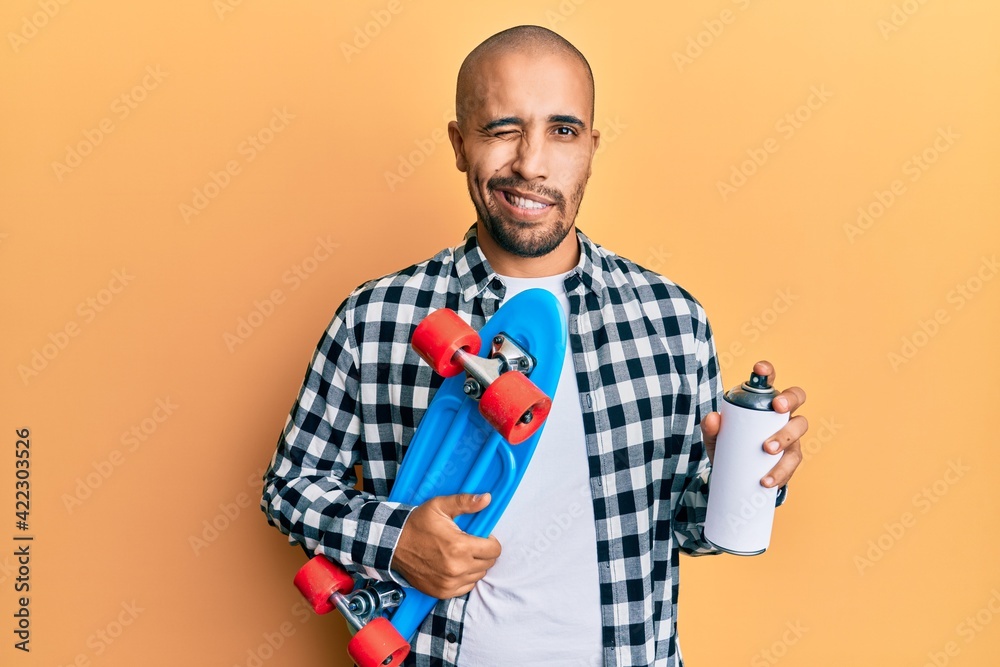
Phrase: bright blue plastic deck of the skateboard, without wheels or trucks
[473,458]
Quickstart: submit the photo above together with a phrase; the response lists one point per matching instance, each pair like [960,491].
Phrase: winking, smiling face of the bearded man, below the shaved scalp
[527,147]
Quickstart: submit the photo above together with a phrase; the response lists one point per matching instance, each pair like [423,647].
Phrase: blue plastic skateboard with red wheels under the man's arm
[477,436]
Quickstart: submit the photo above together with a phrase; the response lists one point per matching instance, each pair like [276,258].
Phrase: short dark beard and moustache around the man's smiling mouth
[525,239]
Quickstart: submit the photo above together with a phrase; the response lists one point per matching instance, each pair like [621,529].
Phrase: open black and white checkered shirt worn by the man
[647,373]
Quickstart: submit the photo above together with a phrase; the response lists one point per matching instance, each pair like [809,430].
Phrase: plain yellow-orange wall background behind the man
[864,568]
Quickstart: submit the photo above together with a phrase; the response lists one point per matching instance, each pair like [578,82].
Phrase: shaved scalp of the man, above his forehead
[522,39]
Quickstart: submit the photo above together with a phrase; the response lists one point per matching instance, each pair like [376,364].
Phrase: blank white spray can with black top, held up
[741,511]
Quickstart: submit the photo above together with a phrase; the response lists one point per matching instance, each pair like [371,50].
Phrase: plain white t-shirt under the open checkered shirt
[540,603]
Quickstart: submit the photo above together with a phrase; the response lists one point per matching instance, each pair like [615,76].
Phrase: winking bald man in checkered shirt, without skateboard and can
[587,570]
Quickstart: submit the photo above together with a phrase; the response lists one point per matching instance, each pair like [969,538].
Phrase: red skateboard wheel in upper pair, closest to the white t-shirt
[509,401]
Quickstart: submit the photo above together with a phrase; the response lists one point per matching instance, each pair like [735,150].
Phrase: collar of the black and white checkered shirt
[475,273]
